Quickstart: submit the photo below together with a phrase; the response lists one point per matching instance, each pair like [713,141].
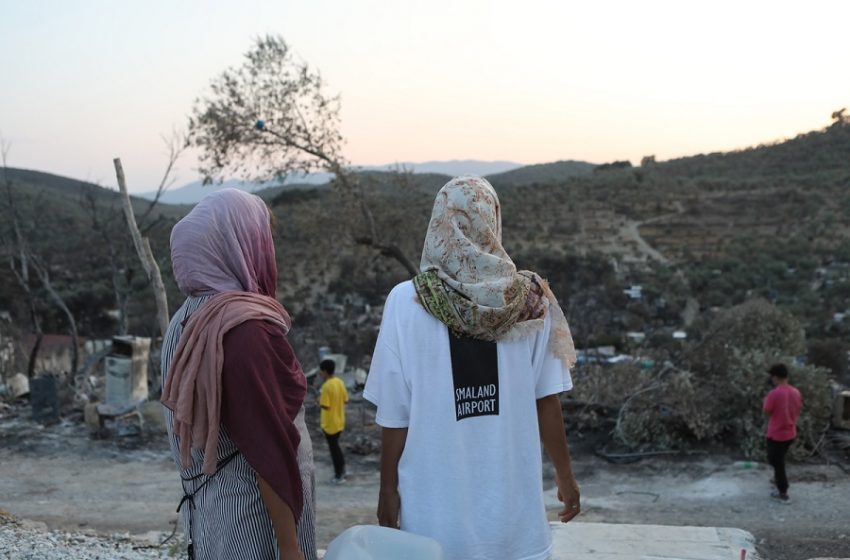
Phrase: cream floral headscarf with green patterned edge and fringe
[469,282]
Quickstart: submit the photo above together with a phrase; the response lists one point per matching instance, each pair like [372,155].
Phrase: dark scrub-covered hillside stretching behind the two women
[697,233]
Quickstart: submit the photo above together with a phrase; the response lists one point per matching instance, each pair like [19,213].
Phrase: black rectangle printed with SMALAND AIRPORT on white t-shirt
[475,371]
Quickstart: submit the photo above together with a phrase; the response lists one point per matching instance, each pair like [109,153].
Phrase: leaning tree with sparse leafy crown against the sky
[271,117]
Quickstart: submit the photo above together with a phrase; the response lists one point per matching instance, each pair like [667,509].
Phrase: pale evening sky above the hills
[531,81]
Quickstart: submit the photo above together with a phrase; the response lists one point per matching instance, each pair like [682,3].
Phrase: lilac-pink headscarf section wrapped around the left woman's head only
[225,244]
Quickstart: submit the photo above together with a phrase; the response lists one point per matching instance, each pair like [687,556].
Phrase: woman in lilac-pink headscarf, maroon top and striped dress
[233,390]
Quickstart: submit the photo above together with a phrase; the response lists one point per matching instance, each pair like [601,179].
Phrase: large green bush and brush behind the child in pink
[719,396]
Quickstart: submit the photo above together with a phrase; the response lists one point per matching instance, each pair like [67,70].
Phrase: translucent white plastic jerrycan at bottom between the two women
[371,542]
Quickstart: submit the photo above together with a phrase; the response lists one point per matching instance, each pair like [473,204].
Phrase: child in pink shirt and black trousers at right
[782,406]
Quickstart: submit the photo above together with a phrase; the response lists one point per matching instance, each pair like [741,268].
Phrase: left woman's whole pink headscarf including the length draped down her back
[223,246]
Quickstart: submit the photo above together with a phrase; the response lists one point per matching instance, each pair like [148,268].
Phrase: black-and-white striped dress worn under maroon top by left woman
[226,517]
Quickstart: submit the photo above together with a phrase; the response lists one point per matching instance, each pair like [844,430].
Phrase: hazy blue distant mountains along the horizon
[193,192]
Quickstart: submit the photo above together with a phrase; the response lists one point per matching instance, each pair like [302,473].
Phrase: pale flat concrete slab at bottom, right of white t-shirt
[607,541]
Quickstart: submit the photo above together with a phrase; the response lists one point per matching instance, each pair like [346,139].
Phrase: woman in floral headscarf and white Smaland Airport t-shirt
[470,359]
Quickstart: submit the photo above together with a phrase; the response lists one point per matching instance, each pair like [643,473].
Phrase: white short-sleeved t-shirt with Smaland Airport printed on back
[474,484]
